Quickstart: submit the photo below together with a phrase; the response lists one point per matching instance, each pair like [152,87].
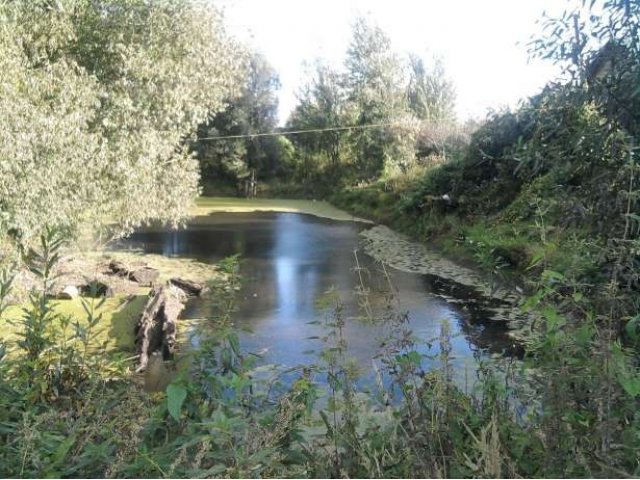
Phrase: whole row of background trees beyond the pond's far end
[381,115]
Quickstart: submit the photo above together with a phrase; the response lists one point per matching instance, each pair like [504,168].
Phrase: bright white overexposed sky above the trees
[481,42]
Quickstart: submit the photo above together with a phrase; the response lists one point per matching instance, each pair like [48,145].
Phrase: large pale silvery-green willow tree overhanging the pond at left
[98,98]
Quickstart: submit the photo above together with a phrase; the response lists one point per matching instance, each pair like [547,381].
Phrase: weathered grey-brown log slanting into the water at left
[157,327]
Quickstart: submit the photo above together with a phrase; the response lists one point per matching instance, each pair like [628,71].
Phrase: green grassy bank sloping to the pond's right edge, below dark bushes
[519,236]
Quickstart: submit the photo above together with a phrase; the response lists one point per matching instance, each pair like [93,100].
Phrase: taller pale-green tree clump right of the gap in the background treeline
[391,103]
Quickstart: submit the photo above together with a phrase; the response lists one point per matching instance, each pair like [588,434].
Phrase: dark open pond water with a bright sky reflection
[289,261]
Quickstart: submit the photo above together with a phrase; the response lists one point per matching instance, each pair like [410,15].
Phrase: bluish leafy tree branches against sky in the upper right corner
[598,48]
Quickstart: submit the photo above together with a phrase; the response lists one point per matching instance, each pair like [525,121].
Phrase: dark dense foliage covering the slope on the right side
[566,158]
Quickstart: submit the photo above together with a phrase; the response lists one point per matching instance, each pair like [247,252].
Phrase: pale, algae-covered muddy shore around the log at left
[118,312]
